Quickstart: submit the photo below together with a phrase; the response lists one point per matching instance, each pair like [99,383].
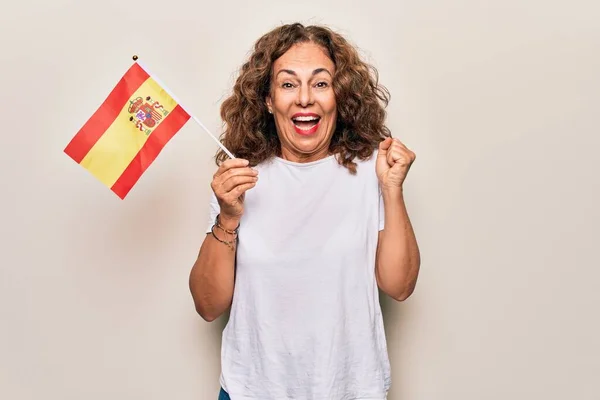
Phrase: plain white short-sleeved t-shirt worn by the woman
[305,322]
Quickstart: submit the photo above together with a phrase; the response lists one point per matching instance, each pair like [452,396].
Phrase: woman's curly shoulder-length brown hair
[249,130]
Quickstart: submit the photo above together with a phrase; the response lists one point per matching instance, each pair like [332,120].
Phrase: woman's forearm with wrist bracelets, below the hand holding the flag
[212,276]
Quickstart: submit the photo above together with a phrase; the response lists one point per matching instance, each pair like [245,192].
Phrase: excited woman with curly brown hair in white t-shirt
[296,243]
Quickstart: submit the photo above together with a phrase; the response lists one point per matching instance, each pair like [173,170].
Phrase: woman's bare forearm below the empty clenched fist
[398,258]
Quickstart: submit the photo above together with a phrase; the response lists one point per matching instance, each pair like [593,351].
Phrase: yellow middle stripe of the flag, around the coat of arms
[120,143]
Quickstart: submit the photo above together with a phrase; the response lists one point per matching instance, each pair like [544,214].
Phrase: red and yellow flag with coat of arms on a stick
[128,131]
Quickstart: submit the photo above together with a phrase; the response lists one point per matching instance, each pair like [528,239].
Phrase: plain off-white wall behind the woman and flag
[499,99]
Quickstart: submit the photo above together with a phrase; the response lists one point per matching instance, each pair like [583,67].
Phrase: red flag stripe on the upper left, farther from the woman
[108,111]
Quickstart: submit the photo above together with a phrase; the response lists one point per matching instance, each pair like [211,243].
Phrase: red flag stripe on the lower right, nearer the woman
[150,150]
